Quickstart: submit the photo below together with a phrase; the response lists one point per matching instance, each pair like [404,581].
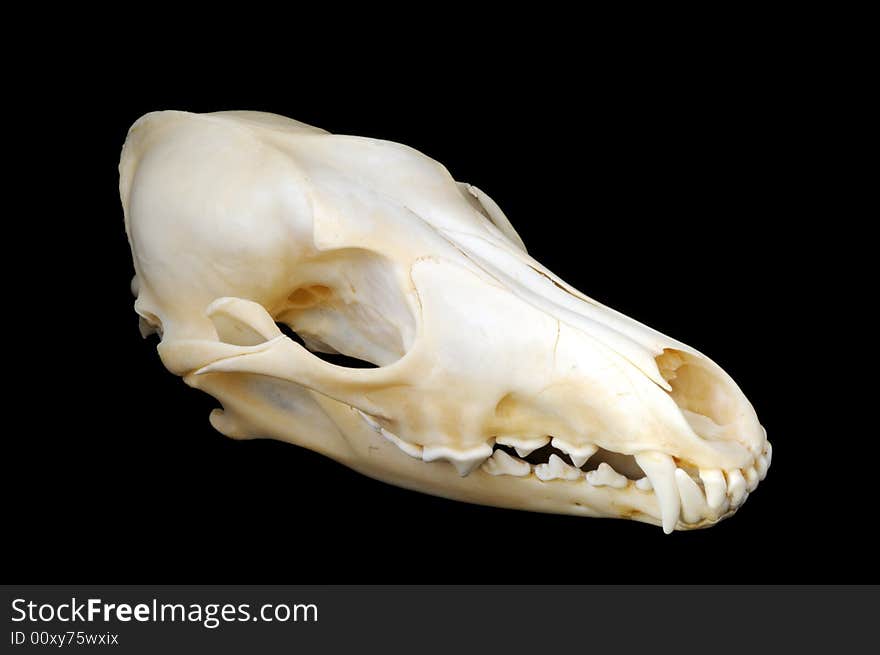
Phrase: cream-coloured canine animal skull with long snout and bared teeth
[495,382]
